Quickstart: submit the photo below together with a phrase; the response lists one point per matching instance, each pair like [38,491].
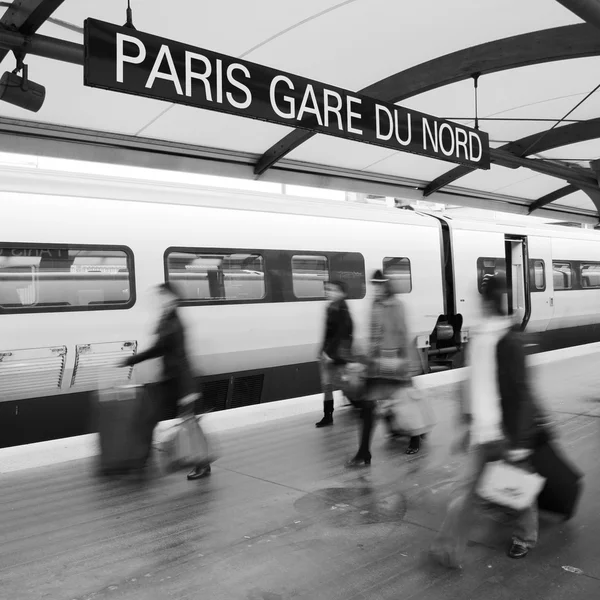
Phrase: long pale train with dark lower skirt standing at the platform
[80,255]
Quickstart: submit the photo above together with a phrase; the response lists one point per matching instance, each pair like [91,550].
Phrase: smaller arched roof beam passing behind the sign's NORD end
[531,144]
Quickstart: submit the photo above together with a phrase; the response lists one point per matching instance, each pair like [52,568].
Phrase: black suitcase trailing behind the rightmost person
[563,481]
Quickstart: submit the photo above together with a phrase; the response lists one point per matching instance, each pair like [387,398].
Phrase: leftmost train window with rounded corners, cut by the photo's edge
[41,278]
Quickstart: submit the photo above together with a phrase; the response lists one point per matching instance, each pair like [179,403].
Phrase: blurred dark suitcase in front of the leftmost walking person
[125,425]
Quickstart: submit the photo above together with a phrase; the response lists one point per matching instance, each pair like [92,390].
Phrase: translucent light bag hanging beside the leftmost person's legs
[185,445]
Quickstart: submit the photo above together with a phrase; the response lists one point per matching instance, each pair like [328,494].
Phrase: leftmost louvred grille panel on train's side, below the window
[31,372]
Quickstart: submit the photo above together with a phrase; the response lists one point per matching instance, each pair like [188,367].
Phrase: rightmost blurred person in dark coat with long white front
[503,422]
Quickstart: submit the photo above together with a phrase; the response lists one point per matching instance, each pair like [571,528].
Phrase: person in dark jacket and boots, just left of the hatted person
[337,345]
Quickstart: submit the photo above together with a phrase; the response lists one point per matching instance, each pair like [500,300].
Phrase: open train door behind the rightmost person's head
[517,278]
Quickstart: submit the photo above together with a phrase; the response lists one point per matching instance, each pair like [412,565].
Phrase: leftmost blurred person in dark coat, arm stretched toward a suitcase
[177,388]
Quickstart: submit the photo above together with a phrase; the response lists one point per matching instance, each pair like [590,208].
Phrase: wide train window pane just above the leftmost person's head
[209,276]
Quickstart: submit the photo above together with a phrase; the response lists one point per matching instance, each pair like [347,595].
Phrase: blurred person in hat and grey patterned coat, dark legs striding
[391,361]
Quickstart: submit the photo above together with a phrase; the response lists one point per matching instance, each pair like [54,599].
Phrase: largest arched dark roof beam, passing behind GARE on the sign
[559,43]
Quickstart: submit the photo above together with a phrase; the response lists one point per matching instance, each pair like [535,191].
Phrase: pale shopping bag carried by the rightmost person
[509,485]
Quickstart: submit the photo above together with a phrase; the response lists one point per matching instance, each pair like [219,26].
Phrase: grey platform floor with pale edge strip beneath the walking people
[280,517]
